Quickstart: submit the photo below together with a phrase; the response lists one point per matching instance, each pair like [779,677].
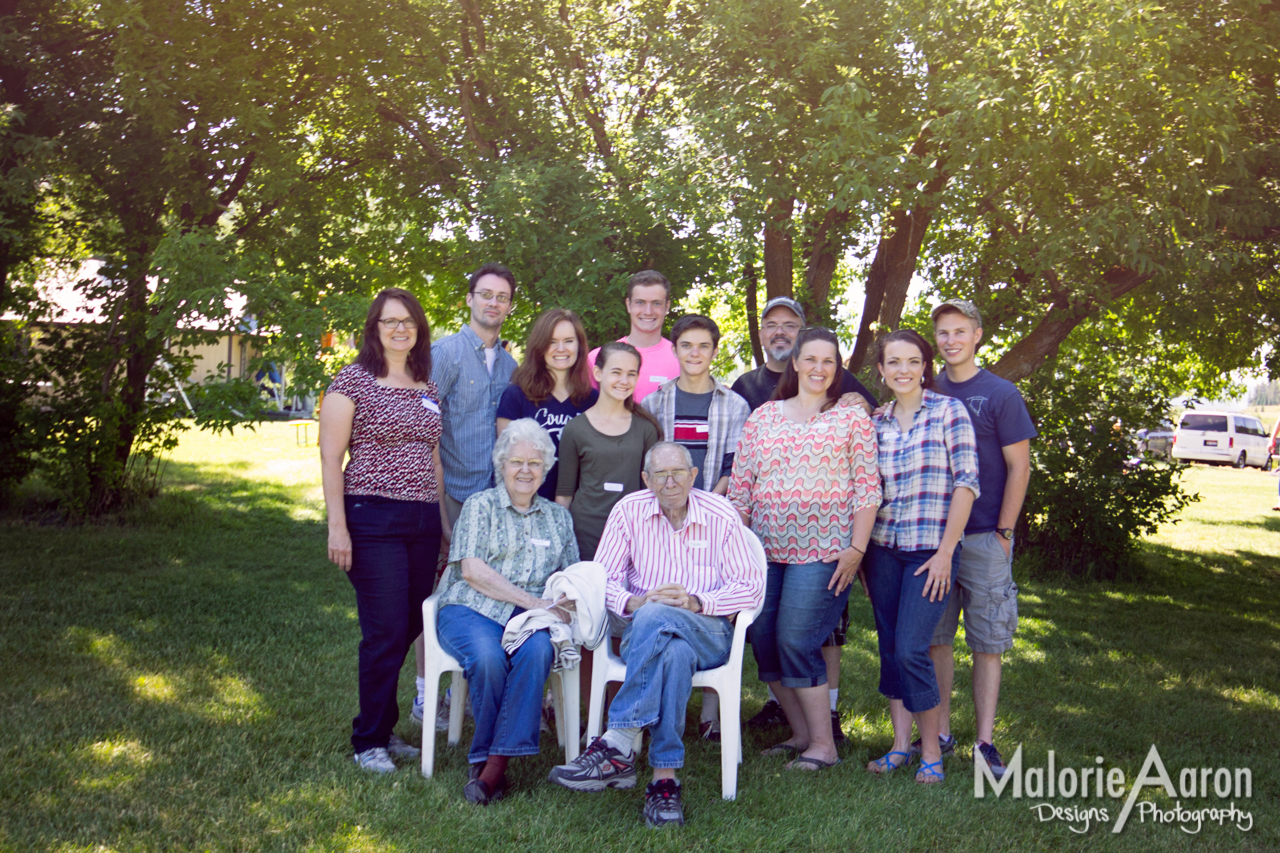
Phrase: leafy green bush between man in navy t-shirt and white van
[1092,495]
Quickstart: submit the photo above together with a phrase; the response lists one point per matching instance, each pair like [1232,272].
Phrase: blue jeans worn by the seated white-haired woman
[506,692]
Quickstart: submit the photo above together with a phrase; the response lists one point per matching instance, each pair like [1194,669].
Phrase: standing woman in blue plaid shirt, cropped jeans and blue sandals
[929,463]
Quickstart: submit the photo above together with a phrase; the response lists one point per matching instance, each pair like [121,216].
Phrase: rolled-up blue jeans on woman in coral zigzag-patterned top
[798,617]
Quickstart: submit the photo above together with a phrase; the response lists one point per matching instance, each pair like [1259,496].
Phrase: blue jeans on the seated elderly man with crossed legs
[664,647]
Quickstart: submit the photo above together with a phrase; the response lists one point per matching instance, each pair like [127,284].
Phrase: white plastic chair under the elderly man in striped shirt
[726,681]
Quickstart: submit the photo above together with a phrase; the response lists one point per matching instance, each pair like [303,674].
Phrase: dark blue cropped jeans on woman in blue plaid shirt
[906,621]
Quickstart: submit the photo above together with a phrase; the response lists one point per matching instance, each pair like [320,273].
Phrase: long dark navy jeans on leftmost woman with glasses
[395,546]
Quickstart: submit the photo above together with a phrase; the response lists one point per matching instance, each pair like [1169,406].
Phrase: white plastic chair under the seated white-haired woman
[437,663]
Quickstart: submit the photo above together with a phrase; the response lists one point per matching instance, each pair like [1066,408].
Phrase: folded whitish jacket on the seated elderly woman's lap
[583,583]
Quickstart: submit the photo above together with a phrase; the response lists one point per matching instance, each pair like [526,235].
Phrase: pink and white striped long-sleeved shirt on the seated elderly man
[708,556]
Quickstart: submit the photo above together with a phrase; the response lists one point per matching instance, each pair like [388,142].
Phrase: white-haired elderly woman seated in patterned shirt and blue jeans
[508,541]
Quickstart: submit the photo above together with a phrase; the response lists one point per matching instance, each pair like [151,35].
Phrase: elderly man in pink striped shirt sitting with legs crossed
[678,568]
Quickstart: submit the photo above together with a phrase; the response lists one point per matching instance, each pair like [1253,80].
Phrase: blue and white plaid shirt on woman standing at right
[921,469]
